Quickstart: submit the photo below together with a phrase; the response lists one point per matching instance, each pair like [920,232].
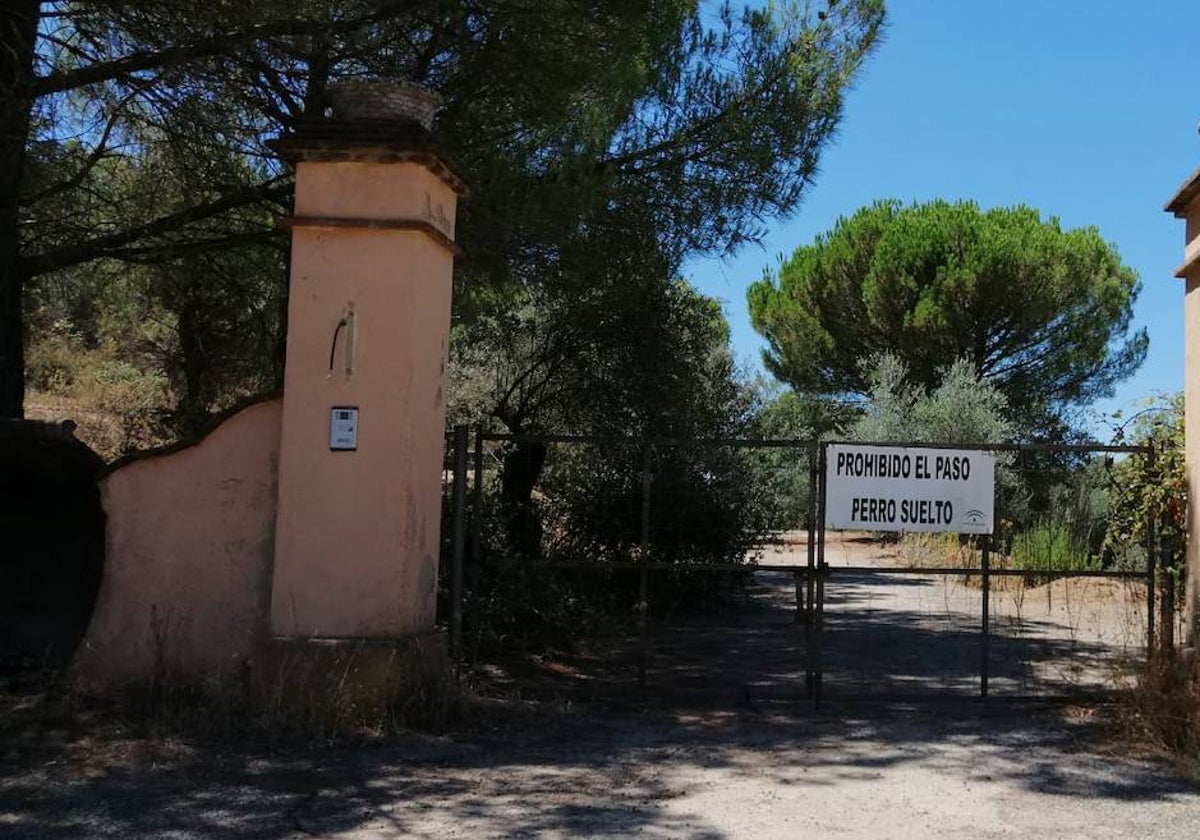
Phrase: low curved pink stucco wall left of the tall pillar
[189,556]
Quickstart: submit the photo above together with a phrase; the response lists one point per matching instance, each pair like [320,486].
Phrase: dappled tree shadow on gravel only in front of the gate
[529,772]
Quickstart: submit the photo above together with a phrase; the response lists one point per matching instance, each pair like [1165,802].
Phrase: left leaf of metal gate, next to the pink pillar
[671,655]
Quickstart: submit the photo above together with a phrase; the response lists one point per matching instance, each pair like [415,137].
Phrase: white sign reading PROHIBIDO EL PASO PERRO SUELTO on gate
[910,489]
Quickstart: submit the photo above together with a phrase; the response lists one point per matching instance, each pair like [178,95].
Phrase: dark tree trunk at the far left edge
[19,34]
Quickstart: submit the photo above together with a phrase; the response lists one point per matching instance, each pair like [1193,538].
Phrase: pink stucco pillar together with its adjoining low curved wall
[261,532]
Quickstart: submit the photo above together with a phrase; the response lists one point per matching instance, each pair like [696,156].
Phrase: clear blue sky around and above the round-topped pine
[1084,110]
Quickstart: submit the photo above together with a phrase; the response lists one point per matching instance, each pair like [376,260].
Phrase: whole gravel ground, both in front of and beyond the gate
[722,745]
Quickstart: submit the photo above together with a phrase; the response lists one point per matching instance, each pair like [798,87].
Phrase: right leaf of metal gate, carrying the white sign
[1009,619]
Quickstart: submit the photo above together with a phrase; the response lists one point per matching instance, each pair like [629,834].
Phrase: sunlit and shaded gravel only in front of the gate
[951,772]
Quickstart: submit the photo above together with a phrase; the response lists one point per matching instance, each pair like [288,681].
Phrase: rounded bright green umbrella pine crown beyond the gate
[1041,313]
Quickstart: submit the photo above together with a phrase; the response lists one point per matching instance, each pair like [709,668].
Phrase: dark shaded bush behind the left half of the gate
[709,505]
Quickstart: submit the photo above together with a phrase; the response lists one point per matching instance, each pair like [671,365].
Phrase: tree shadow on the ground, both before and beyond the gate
[575,751]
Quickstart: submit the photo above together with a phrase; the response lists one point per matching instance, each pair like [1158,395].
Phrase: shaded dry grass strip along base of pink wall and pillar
[302,694]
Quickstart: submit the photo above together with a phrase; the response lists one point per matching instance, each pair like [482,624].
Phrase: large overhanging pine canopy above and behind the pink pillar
[137,131]
